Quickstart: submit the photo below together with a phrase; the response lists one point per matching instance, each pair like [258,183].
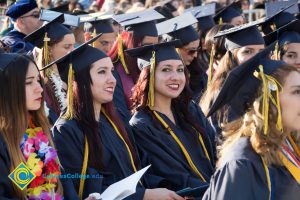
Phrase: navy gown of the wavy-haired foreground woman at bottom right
[241,175]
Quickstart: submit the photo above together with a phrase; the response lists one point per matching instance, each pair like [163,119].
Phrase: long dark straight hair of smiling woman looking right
[85,115]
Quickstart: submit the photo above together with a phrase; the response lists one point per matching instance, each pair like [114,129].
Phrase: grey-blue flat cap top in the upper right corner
[274,7]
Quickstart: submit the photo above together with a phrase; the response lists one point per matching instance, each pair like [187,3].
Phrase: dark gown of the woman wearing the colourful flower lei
[6,185]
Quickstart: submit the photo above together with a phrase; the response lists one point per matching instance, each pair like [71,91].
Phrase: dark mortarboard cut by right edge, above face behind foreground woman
[289,33]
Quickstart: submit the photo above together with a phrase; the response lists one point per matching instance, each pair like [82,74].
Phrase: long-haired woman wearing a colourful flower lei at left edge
[24,132]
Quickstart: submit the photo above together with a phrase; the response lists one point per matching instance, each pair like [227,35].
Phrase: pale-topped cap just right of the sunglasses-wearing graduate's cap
[204,15]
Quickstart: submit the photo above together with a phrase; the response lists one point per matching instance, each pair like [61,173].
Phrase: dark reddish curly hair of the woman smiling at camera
[180,104]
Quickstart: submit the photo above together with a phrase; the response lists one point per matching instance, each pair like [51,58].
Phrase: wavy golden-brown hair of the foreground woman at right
[252,125]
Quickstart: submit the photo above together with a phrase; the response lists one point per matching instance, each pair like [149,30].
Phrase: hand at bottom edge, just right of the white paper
[161,194]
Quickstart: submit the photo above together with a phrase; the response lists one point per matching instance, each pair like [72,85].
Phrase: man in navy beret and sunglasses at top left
[25,17]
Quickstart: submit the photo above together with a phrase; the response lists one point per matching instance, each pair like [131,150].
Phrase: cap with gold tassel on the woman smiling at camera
[150,55]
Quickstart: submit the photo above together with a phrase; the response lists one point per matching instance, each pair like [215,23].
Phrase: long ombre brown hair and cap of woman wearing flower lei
[14,114]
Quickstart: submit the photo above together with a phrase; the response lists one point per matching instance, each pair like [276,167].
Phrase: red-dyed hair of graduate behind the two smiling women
[129,40]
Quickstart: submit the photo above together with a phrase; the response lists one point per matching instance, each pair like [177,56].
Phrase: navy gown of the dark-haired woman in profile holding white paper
[69,141]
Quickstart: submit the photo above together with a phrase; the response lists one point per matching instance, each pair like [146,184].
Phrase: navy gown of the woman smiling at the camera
[157,147]
